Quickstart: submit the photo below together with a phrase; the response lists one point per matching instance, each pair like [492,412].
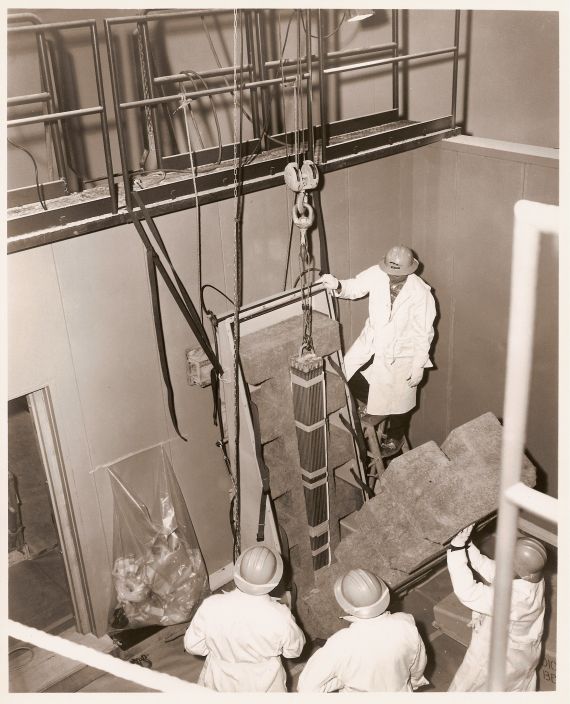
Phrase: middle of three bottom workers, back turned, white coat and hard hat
[378,652]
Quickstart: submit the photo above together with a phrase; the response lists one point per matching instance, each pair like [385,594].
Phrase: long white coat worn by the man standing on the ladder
[398,336]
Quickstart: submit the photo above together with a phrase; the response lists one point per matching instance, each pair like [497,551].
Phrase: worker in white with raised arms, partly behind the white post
[526,617]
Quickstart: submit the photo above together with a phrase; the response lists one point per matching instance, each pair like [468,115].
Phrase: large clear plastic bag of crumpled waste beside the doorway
[158,570]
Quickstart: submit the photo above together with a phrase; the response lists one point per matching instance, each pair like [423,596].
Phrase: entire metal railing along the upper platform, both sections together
[257,79]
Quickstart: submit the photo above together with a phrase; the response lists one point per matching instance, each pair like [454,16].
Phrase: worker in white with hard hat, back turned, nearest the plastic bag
[244,633]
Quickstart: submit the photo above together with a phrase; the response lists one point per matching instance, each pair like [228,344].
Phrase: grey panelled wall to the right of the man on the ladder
[462,203]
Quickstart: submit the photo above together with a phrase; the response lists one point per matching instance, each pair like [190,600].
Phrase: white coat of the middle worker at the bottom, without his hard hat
[382,654]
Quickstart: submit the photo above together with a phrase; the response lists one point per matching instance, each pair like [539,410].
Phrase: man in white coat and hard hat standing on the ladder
[387,361]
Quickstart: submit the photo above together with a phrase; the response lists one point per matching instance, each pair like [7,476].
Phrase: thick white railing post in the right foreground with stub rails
[532,220]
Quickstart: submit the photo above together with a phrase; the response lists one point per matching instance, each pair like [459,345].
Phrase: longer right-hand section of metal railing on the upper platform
[256,75]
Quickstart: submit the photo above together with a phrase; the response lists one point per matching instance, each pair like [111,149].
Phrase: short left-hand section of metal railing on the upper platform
[48,95]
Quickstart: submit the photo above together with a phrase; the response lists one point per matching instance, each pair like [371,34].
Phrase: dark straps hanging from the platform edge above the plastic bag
[181,298]
